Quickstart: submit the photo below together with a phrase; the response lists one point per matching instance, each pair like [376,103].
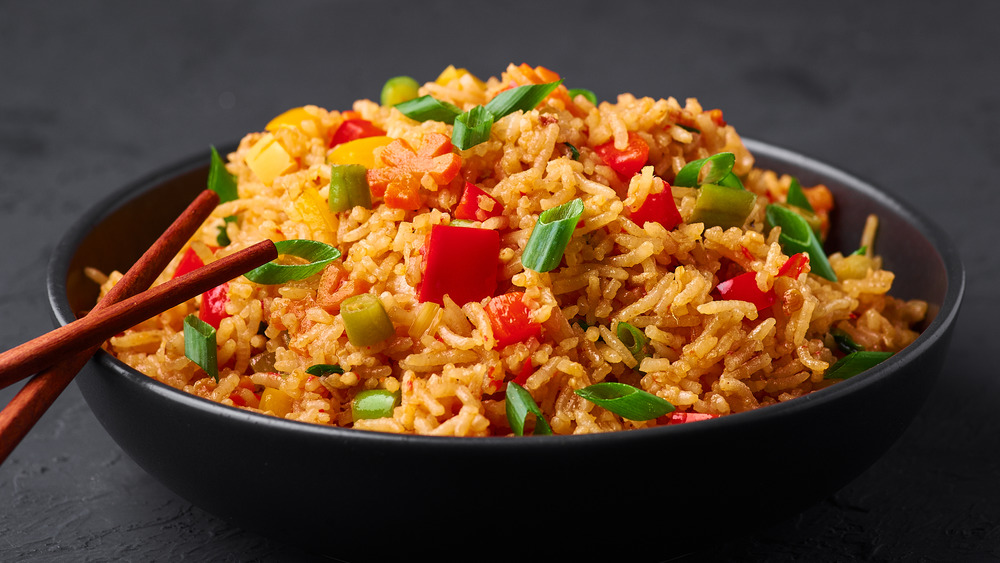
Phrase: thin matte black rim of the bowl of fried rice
[58,269]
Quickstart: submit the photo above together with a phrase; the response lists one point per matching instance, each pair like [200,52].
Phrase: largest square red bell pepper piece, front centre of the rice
[460,262]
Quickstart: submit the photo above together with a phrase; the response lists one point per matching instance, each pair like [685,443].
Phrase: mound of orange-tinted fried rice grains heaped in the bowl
[704,354]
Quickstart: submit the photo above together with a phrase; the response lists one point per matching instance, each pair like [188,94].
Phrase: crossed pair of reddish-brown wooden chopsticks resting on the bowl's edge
[57,356]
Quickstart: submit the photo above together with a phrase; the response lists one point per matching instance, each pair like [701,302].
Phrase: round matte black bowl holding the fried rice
[641,494]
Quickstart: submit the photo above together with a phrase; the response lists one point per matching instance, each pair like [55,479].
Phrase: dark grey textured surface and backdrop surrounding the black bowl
[95,94]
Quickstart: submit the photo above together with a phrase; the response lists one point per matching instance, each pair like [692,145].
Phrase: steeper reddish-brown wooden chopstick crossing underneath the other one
[31,402]
